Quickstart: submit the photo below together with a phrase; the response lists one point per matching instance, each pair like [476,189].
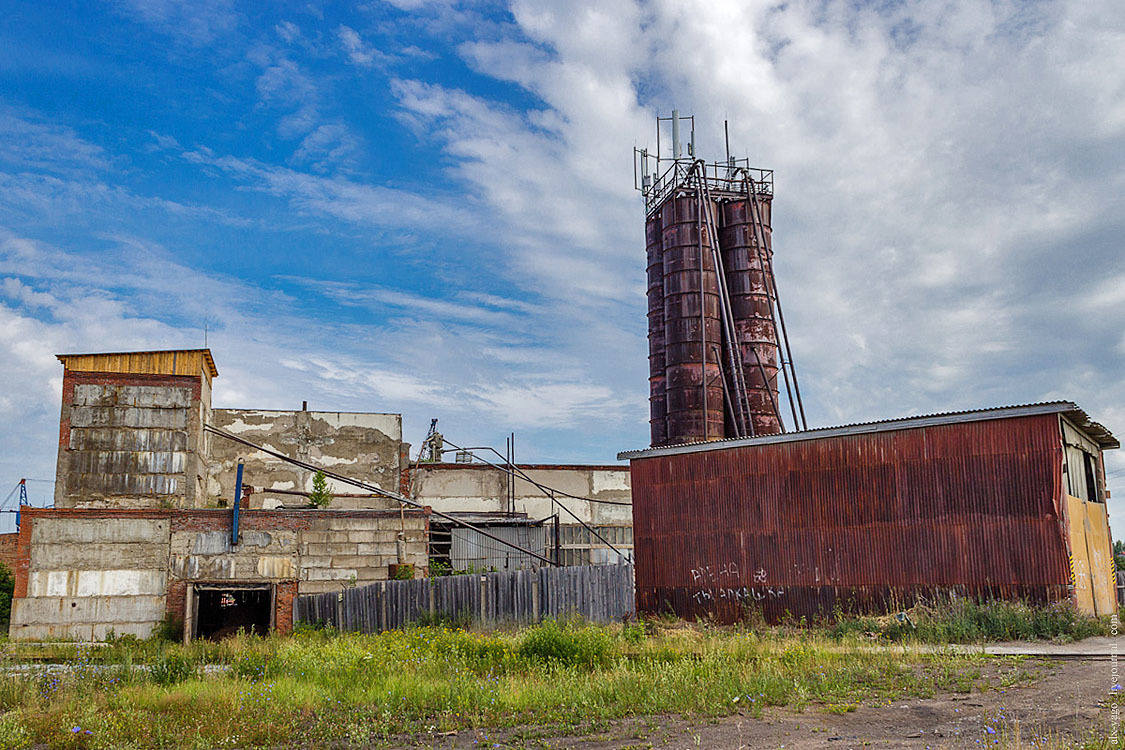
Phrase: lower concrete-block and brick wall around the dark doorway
[82,573]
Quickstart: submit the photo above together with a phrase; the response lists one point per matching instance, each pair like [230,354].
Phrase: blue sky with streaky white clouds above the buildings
[428,207]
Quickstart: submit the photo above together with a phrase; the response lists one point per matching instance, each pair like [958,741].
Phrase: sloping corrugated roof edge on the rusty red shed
[1069,410]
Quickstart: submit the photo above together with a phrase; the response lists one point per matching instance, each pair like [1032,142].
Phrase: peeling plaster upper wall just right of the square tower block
[365,447]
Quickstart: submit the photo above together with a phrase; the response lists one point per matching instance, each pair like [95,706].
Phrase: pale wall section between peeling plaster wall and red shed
[479,489]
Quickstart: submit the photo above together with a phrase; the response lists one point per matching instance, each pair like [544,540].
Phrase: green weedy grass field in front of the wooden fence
[320,689]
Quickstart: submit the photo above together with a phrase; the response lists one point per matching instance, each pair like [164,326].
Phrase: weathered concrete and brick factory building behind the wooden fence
[143,525]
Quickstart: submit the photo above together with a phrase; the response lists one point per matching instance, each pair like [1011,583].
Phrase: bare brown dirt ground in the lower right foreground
[1067,700]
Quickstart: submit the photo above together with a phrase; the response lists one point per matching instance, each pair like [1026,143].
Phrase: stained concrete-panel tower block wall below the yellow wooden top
[131,440]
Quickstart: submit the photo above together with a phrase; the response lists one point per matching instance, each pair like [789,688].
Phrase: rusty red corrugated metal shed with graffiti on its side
[1006,503]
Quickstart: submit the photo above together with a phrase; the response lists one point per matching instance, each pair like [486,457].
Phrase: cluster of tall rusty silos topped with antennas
[716,331]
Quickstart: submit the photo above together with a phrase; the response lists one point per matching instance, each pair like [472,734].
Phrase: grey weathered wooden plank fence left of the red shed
[598,593]
